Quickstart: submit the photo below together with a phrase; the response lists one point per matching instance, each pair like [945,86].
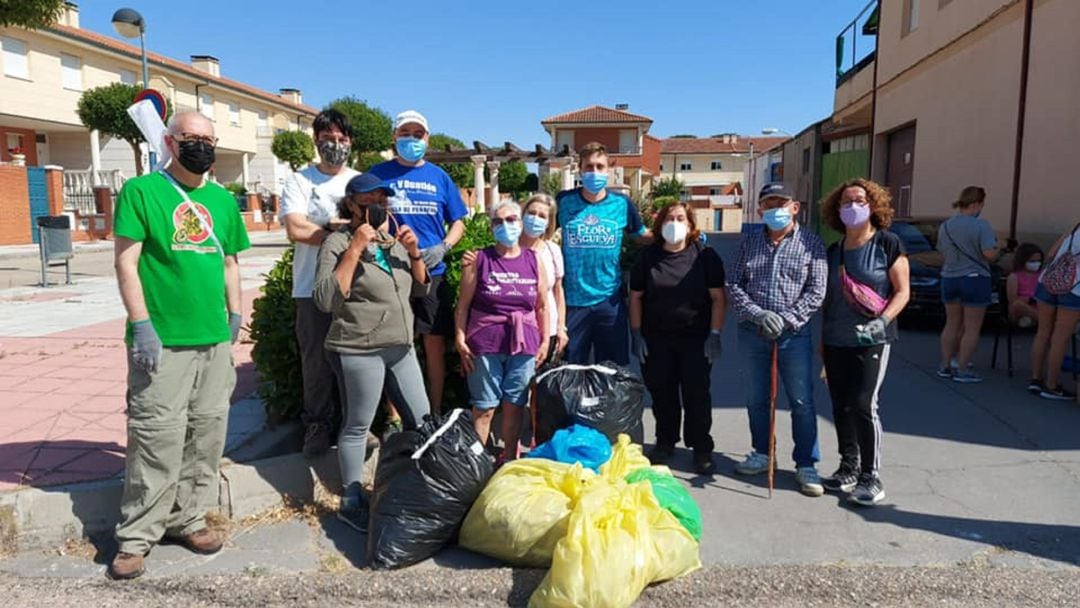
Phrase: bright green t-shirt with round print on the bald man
[181,268]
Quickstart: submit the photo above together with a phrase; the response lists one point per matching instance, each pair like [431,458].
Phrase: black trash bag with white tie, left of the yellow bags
[425,485]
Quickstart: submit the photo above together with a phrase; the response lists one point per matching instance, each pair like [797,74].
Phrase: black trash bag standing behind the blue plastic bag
[605,397]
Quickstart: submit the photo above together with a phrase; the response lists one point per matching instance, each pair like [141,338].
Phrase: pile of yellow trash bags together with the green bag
[605,536]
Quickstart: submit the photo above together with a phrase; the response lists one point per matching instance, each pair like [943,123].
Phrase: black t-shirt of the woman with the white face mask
[677,303]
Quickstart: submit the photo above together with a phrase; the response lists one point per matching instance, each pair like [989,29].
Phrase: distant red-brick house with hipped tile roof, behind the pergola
[636,155]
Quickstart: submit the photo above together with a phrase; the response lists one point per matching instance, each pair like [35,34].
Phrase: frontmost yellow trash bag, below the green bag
[619,541]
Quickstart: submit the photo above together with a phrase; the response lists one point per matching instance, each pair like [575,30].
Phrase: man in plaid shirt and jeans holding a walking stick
[777,283]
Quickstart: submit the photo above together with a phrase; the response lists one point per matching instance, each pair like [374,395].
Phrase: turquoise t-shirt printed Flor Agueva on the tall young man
[592,241]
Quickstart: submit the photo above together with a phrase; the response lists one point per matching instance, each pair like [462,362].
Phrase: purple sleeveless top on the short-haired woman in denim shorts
[503,318]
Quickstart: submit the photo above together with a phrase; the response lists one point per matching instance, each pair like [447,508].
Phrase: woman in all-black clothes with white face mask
[677,314]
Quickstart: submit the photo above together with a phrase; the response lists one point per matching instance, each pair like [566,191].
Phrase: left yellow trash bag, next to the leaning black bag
[524,511]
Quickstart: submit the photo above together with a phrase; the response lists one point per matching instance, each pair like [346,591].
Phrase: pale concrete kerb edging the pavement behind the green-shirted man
[34,519]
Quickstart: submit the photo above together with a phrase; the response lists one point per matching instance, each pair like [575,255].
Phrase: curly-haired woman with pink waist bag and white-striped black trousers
[869,286]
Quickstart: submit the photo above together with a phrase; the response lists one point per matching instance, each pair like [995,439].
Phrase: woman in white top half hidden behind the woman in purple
[539,218]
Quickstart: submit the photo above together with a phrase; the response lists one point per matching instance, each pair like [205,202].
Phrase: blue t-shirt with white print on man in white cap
[426,200]
